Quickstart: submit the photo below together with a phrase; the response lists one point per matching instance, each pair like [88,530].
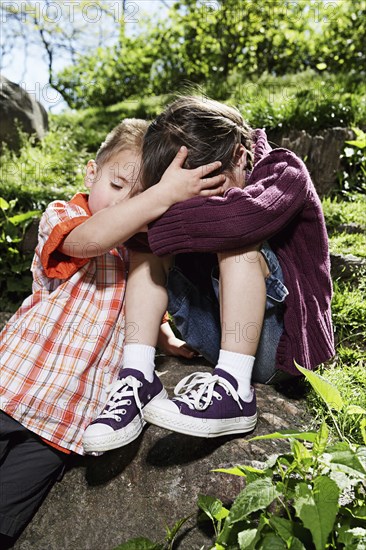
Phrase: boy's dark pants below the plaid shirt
[28,469]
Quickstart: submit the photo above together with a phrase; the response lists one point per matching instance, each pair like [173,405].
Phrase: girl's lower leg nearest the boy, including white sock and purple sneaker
[121,420]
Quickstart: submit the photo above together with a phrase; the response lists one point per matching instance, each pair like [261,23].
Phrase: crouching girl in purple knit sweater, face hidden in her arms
[271,290]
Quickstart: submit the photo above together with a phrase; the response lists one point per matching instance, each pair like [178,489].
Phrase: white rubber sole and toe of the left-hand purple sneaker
[119,438]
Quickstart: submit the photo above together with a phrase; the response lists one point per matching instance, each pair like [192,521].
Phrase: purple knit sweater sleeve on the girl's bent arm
[275,193]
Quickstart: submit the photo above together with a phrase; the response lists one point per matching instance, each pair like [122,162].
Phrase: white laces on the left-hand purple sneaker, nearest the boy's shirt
[120,393]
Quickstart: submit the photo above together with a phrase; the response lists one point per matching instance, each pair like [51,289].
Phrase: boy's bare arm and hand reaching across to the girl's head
[114,225]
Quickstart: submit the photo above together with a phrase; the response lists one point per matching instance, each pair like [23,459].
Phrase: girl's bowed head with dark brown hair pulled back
[209,129]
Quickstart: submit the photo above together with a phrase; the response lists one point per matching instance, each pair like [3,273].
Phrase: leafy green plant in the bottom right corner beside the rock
[310,498]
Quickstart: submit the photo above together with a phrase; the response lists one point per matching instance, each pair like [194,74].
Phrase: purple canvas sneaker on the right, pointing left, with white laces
[206,405]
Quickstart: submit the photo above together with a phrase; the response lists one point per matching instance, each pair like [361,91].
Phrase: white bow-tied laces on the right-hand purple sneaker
[198,389]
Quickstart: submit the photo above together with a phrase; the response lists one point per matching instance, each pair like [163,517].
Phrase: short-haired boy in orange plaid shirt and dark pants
[64,345]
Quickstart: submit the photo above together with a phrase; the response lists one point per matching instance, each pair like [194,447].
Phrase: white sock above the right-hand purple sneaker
[240,366]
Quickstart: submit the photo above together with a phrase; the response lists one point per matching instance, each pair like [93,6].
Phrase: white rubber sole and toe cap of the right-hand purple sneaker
[156,413]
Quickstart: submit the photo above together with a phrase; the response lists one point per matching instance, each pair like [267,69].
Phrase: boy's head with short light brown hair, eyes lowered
[115,172]
